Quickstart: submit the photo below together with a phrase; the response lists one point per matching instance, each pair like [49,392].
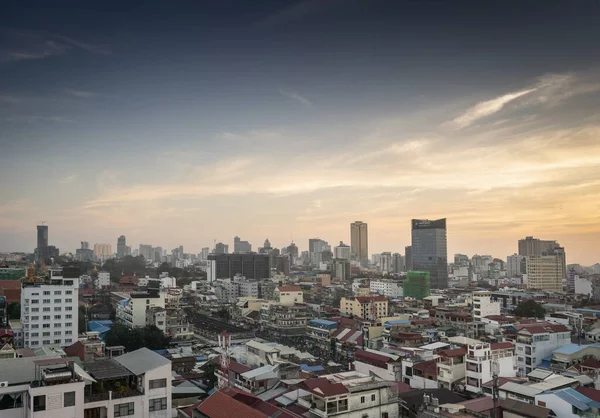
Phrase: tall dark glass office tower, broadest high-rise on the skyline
[429,250]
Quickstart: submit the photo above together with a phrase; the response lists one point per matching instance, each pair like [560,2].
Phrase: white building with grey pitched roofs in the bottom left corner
[50,387]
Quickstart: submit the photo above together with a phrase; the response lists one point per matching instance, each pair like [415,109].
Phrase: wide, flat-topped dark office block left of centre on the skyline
[226,266]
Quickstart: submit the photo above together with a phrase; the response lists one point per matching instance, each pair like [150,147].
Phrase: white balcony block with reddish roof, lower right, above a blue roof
[535,342]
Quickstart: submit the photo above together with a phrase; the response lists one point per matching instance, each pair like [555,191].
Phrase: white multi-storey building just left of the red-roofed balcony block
[483,358]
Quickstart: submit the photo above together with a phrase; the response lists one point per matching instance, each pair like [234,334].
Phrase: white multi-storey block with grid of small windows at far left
[49,313]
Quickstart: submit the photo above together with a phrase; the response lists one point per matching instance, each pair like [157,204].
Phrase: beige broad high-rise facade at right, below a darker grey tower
[545,272]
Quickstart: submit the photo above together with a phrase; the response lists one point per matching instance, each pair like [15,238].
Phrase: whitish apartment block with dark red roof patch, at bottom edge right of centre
[349,395]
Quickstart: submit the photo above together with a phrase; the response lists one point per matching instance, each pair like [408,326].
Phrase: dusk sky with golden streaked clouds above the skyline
[184,122]
